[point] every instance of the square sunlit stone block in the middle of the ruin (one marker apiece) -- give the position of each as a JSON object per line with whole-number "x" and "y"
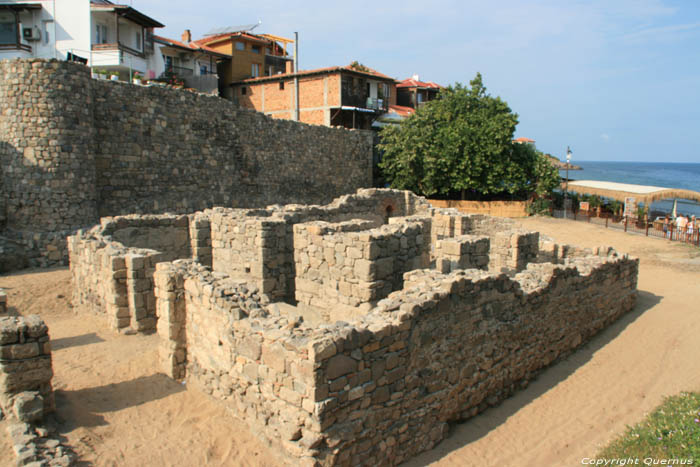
{"x": 347, "y": 264}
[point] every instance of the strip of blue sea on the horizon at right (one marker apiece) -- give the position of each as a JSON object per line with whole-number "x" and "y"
{"x": 662, "y": 174}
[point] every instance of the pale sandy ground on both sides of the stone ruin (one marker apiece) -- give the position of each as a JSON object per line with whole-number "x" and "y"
{"x": 116, "y": 409}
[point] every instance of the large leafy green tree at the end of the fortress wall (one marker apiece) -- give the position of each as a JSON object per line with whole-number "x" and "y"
{"x": 461, "y": 143}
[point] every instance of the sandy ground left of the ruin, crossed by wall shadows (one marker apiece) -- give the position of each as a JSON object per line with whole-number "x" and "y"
{"x": 116, "y": 408}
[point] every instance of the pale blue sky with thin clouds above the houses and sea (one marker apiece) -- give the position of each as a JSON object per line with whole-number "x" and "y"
{"x": 615, "y": 80}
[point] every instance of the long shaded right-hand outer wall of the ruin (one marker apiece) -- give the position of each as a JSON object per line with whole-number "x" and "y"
{"x": 448, "y": 346}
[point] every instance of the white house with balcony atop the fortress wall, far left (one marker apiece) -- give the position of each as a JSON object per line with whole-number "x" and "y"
{"x": 98, "y": 33}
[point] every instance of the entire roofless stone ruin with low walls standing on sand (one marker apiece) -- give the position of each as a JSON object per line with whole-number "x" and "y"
{"x": 352, "y": 333}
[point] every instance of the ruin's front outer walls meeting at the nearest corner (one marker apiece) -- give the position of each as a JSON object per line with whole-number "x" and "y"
{"x": 381, "y": 389}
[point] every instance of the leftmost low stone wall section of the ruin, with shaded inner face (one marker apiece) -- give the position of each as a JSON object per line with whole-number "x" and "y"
{"x": 116, "y": 277}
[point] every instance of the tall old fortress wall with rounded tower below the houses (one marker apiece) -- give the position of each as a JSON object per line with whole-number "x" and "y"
{"x": 74, "y": 149}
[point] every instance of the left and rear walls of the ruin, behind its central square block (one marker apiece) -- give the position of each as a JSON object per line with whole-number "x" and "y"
{"x": 115, "y": 277}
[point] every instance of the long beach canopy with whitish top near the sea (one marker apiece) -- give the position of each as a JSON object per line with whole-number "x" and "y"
{"x": 619, "y": 191}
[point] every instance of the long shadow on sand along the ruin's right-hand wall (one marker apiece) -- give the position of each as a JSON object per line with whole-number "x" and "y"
{"x": 461, "y": 434}
